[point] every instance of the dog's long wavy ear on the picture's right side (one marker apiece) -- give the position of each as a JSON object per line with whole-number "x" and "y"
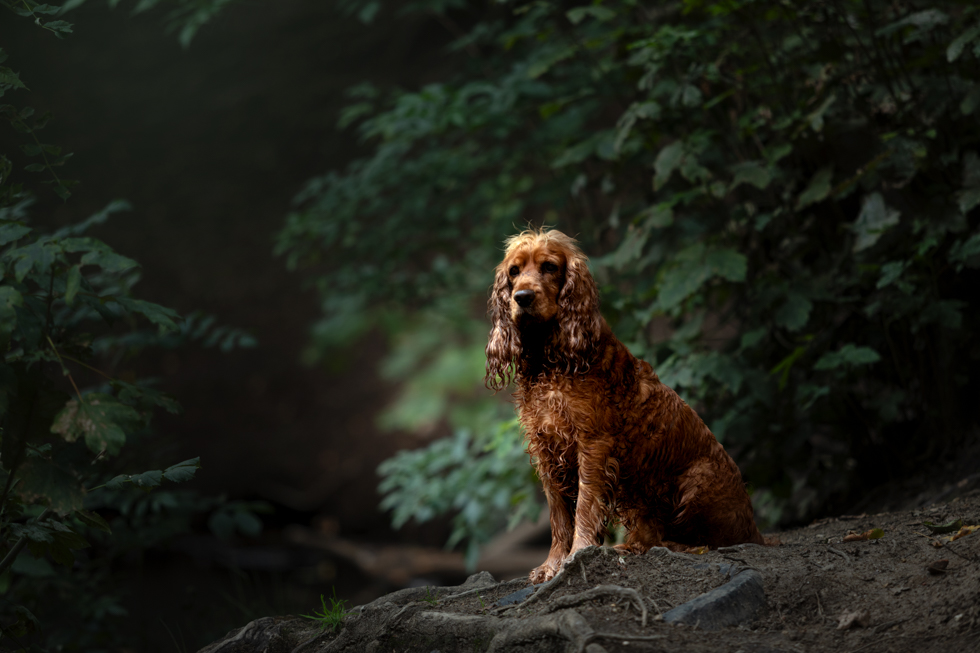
{"x": 579, "y": 320}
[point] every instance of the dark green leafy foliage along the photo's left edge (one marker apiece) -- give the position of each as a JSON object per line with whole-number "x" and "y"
{"x": 69, "y": 325}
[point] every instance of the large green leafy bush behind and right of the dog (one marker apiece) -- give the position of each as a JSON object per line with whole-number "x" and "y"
{"x": 787, "y": 190}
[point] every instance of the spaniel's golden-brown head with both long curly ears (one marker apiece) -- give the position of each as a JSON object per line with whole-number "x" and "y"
{"x": 543, "y": 281}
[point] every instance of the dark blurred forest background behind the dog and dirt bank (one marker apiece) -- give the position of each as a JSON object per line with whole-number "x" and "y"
{"x": 785, "y": 228}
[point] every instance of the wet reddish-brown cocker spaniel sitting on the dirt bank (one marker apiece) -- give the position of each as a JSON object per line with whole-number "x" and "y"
{"x": 608, "y": 439}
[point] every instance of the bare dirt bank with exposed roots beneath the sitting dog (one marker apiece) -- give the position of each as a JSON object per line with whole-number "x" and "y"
{"x": 909, "y": 590}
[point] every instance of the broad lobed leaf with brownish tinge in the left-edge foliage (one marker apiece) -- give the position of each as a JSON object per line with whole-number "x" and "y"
{"x": 99, "y": 419}
